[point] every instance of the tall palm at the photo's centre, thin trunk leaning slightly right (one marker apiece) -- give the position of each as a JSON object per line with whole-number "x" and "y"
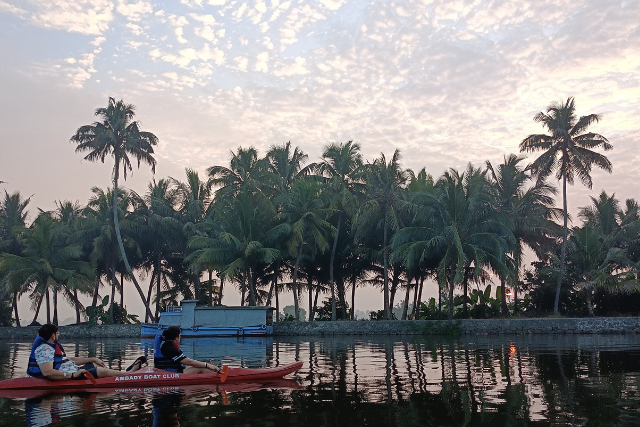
{"x": 342, "y": 163}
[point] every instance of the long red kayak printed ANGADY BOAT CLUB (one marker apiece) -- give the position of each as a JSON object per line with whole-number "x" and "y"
{"x": 150, "y": 377}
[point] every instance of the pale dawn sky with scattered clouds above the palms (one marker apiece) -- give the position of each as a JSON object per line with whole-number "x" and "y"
{"x": 446, "y": 82}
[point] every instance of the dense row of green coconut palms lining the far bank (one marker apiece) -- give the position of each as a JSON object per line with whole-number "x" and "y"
{"x": 277, "y": 223}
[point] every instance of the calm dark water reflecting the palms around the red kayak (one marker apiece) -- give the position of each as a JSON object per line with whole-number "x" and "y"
{"x": 383, "y": 381}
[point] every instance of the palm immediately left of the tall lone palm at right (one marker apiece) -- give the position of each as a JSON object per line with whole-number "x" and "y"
{"x": 528, "y": 208}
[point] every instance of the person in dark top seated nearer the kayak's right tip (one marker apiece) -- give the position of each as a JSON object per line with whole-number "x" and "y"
{"x": 168, "y": 356}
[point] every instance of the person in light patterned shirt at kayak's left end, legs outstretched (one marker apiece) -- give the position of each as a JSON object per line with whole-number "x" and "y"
{"x": 48, "y": 360}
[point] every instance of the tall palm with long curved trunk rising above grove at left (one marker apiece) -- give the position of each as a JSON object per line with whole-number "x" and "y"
{"x": 118, "y": 135}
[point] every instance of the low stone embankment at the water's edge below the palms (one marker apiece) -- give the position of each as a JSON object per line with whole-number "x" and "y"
{"x": 601, "y": 325}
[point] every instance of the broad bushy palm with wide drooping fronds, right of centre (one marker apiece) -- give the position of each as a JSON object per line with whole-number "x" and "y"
{"x": 456, "y": 228}
